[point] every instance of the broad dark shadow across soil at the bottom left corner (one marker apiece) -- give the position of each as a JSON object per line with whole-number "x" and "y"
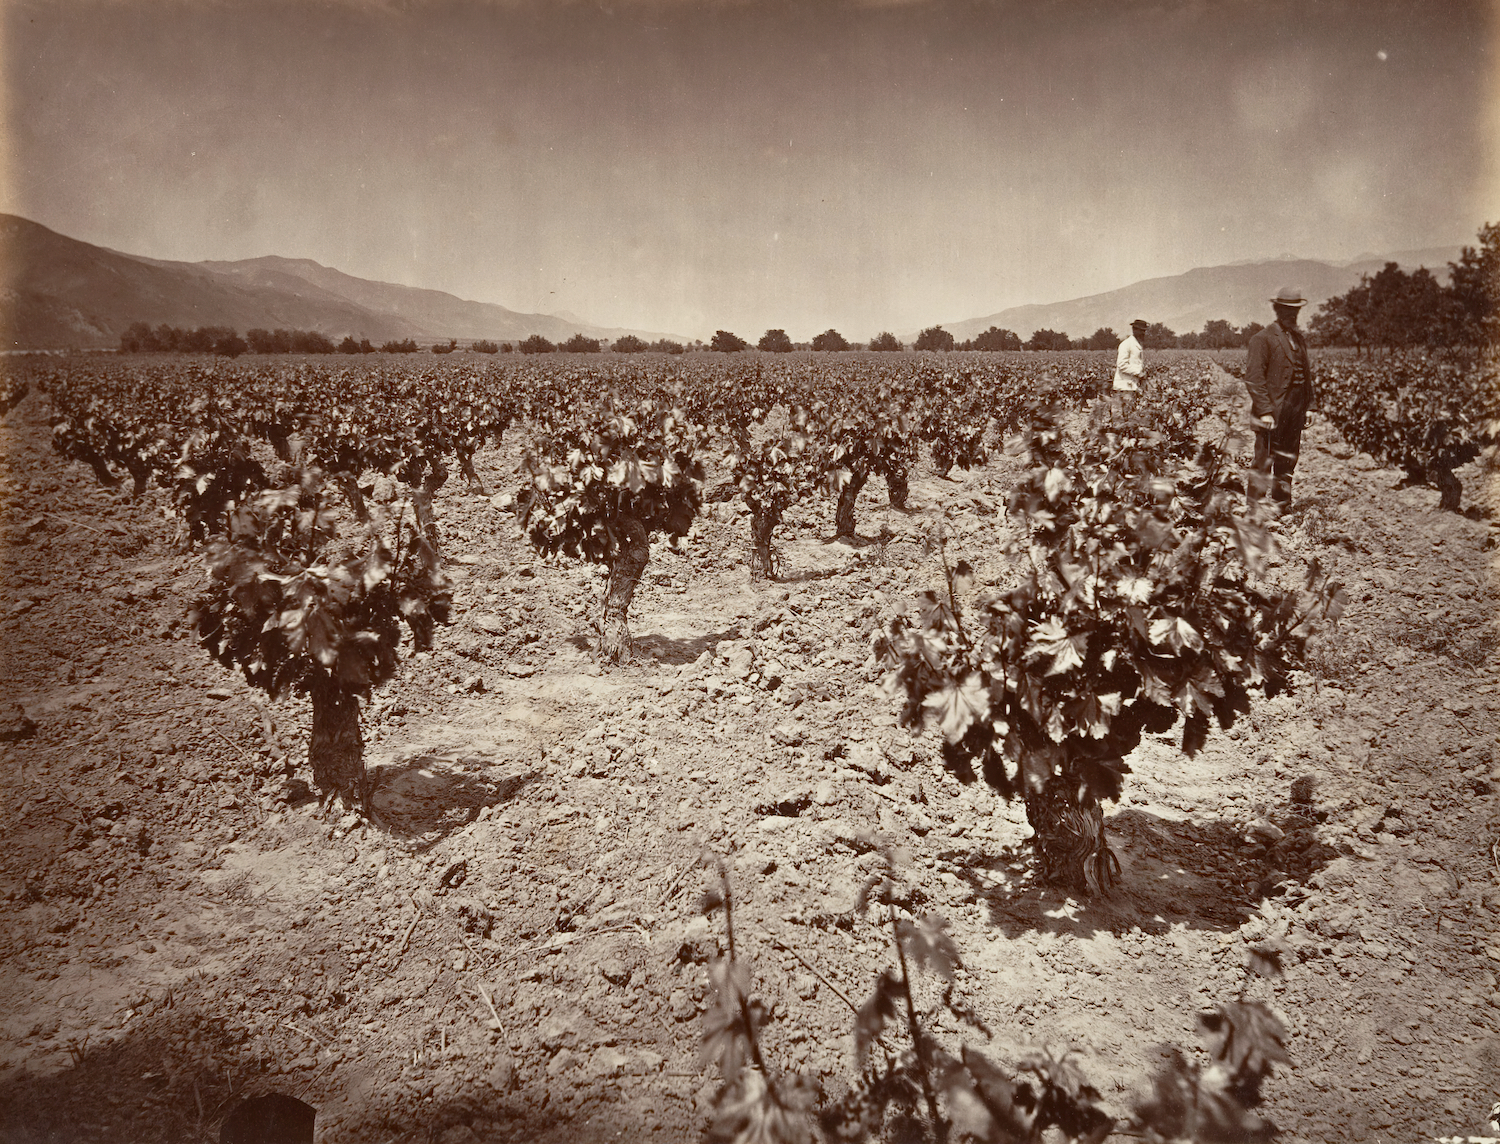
{"x": 169, "y": 1082}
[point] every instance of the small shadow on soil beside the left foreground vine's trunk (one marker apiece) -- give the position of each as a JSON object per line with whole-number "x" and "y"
{"x": 428, "y": 797}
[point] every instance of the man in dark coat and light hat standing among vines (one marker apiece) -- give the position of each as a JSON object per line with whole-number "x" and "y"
{"x": 1280, "y": 382}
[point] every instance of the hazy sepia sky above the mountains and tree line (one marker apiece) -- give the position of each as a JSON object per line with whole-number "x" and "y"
{"x": 683, "y": 167}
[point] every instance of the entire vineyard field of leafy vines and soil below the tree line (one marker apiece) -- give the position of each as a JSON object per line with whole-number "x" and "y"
{"x": 779, "y": 747}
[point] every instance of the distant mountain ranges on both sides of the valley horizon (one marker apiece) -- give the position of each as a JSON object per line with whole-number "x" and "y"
{"x": 58, "y": 293}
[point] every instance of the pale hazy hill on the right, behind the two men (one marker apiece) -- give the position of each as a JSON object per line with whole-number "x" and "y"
{"x": 1186, "y": 302}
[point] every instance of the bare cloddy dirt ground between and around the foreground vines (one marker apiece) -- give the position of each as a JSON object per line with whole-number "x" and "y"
{"x": 515, "y": 954}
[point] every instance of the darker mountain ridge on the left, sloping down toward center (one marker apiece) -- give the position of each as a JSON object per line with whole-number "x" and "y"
{"x": 58, "y": 292}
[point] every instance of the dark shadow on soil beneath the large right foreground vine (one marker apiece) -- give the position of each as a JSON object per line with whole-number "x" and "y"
{"x": 1204, "y": 876}
